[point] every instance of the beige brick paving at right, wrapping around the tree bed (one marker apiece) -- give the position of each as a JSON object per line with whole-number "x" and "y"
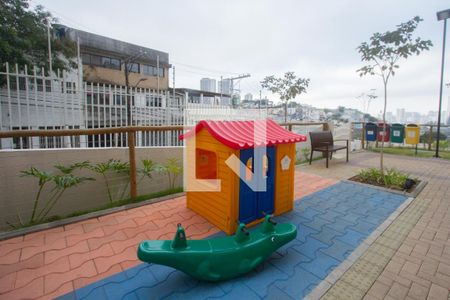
{"x": 411, "y": 259}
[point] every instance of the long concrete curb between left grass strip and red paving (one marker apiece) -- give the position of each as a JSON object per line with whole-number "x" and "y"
{"x": 95, "y": 214}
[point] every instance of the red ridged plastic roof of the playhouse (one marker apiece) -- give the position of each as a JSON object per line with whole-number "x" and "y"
{"x": 241, "y": 134}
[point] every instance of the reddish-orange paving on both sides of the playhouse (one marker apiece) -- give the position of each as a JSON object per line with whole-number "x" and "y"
{"x": 53, "y": 262}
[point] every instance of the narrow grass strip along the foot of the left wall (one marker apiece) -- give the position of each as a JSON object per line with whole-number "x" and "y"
{"x": 108, "y": 205}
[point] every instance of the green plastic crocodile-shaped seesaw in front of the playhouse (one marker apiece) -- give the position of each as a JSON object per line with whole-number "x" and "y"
{"x": 219, "y": 258}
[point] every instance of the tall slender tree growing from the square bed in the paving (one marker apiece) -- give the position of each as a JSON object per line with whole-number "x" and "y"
{"x": 383, "y": 53}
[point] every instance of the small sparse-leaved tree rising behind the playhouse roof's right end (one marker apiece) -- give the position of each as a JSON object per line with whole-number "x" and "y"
{"x": 288, "y": 87}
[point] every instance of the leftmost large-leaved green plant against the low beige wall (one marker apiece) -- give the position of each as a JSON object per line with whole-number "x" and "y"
{"x": 61, "y": 182}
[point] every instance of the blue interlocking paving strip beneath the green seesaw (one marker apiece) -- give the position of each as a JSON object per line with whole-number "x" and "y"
{"x": 331, "y": 223}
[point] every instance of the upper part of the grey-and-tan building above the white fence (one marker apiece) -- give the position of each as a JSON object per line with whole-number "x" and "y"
{"x": 104, "y": 60}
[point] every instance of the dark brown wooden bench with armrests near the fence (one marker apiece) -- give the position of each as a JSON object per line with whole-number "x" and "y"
{"x": 322, "y": 141}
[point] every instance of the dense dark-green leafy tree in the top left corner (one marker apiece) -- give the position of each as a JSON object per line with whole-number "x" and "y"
{"x": 23, "y": 37}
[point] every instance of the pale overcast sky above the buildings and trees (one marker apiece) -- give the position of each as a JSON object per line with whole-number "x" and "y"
{"x": 315, "y": 39}
